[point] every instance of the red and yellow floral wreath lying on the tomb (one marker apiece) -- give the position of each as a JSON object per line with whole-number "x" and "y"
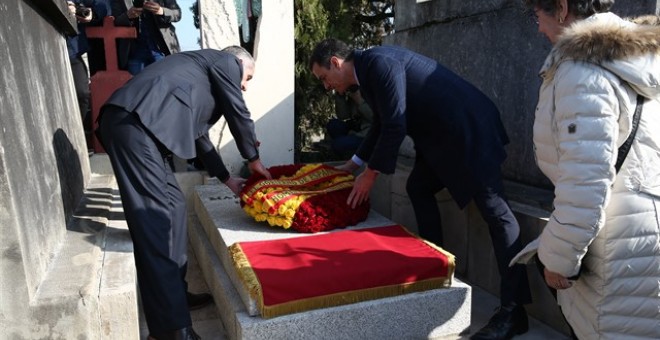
{"x": 307, "y": 198}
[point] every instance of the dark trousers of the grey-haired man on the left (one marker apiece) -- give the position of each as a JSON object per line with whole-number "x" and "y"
{"x": 155, "y": 212}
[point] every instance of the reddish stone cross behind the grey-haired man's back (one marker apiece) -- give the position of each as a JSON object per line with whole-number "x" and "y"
{"x": 104, "y": 83}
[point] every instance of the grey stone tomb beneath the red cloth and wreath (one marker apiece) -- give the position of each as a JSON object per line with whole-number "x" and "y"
{"x": 218, "y": 222}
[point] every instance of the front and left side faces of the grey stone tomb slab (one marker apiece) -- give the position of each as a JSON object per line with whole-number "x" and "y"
{"x": 433, "y": 314}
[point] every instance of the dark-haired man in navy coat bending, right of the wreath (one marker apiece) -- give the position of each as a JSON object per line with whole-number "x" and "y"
{"x": 459, "y": 144}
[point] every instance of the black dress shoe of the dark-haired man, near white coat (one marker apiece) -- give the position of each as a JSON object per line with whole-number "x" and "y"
{"x": 505, "y": 324}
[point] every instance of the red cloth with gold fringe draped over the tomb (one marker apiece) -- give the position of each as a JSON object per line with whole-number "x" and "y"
{"x": 344, "y": 261}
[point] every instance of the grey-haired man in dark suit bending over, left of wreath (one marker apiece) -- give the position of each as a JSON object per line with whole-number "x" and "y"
{"x": 166, "y": 110}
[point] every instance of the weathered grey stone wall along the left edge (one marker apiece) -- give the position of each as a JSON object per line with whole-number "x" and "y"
{"x": 43, "y": 155}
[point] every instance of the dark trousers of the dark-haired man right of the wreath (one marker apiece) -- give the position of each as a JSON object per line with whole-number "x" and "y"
{"x": 503, "y": 227}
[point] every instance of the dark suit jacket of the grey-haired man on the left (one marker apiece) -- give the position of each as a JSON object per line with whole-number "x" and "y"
{"x": 179, "y": 98}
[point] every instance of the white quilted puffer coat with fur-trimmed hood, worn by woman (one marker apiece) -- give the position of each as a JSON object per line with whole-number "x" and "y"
{"x": 604, "y": 224}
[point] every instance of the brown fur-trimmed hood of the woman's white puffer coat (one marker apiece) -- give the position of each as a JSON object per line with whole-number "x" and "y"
{"x": 628, "y": 48}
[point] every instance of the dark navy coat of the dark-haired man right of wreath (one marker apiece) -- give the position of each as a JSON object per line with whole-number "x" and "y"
{"x": 456, "y": 129}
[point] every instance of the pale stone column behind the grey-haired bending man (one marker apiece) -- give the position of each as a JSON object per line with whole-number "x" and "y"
{"x": 270, "y": 93}
